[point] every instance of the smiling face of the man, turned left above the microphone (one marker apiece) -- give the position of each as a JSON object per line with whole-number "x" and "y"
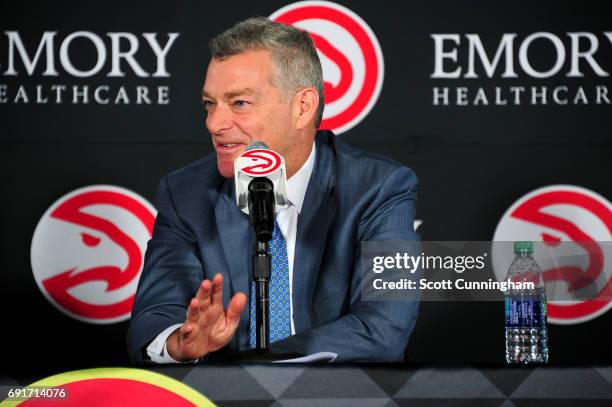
{"x": 244, "y": 105}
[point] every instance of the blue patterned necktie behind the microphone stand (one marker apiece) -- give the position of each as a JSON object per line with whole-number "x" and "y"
{"x": 280, "y": 322}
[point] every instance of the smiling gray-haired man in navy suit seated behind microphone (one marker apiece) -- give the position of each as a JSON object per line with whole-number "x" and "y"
{"x": 264, "y": 83}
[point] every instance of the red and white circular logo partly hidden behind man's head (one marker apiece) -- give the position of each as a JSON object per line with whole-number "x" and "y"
{"x": 351, "y": 59}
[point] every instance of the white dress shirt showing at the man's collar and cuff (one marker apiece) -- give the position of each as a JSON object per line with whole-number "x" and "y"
{"x": 287, "y": 217}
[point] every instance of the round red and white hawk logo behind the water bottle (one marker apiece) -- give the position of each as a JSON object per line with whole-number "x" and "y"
{"x": 570, "y": 214}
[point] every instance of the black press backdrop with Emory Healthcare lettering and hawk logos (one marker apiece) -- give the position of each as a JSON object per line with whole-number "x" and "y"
{"x": 492, "y": 104}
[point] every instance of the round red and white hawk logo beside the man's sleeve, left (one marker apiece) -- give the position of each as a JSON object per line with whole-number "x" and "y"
{"x": 88, "y": 249}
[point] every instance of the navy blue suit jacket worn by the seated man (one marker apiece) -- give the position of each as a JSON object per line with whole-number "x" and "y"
{"x": 352, "y": 196}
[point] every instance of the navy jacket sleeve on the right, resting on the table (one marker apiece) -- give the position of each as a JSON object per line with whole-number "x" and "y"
{"x": 372, "y": 331}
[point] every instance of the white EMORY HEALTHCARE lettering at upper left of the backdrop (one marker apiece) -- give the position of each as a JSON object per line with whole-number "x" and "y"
{"x": 57, "y": 57}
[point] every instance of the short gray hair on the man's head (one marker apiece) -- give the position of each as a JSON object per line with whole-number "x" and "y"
{"x": 293, "y": 53}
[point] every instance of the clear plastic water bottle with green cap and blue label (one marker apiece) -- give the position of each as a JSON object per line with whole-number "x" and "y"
{"x": 526, "y": 335}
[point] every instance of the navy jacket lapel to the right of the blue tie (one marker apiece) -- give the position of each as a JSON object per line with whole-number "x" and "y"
{"x": 314, "y": 221}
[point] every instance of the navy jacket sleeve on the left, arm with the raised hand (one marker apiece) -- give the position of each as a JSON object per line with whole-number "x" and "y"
{"x": 170, "y": 277}
